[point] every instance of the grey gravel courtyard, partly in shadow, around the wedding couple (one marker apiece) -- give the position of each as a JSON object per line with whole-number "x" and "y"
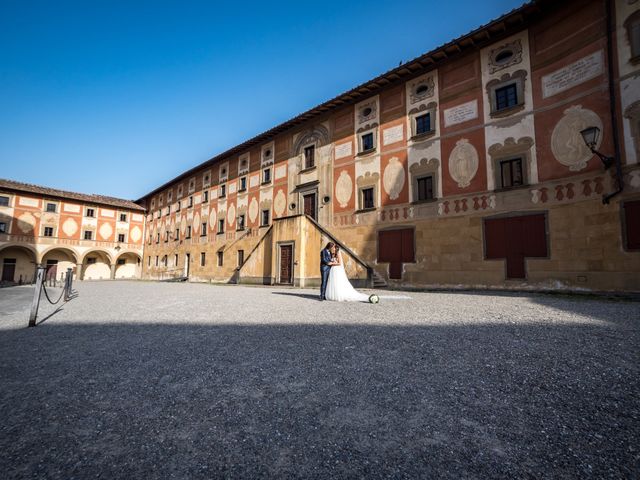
{"x": 161, "y": 380}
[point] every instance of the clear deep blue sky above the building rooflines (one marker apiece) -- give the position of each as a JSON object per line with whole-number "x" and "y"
{"x": 117, "y": 97}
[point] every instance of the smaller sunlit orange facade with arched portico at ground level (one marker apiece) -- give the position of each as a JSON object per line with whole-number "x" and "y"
{"x": 40, "y": 225}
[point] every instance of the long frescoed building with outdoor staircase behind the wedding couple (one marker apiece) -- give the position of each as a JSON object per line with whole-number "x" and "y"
{"x": 467, "y": 166}
